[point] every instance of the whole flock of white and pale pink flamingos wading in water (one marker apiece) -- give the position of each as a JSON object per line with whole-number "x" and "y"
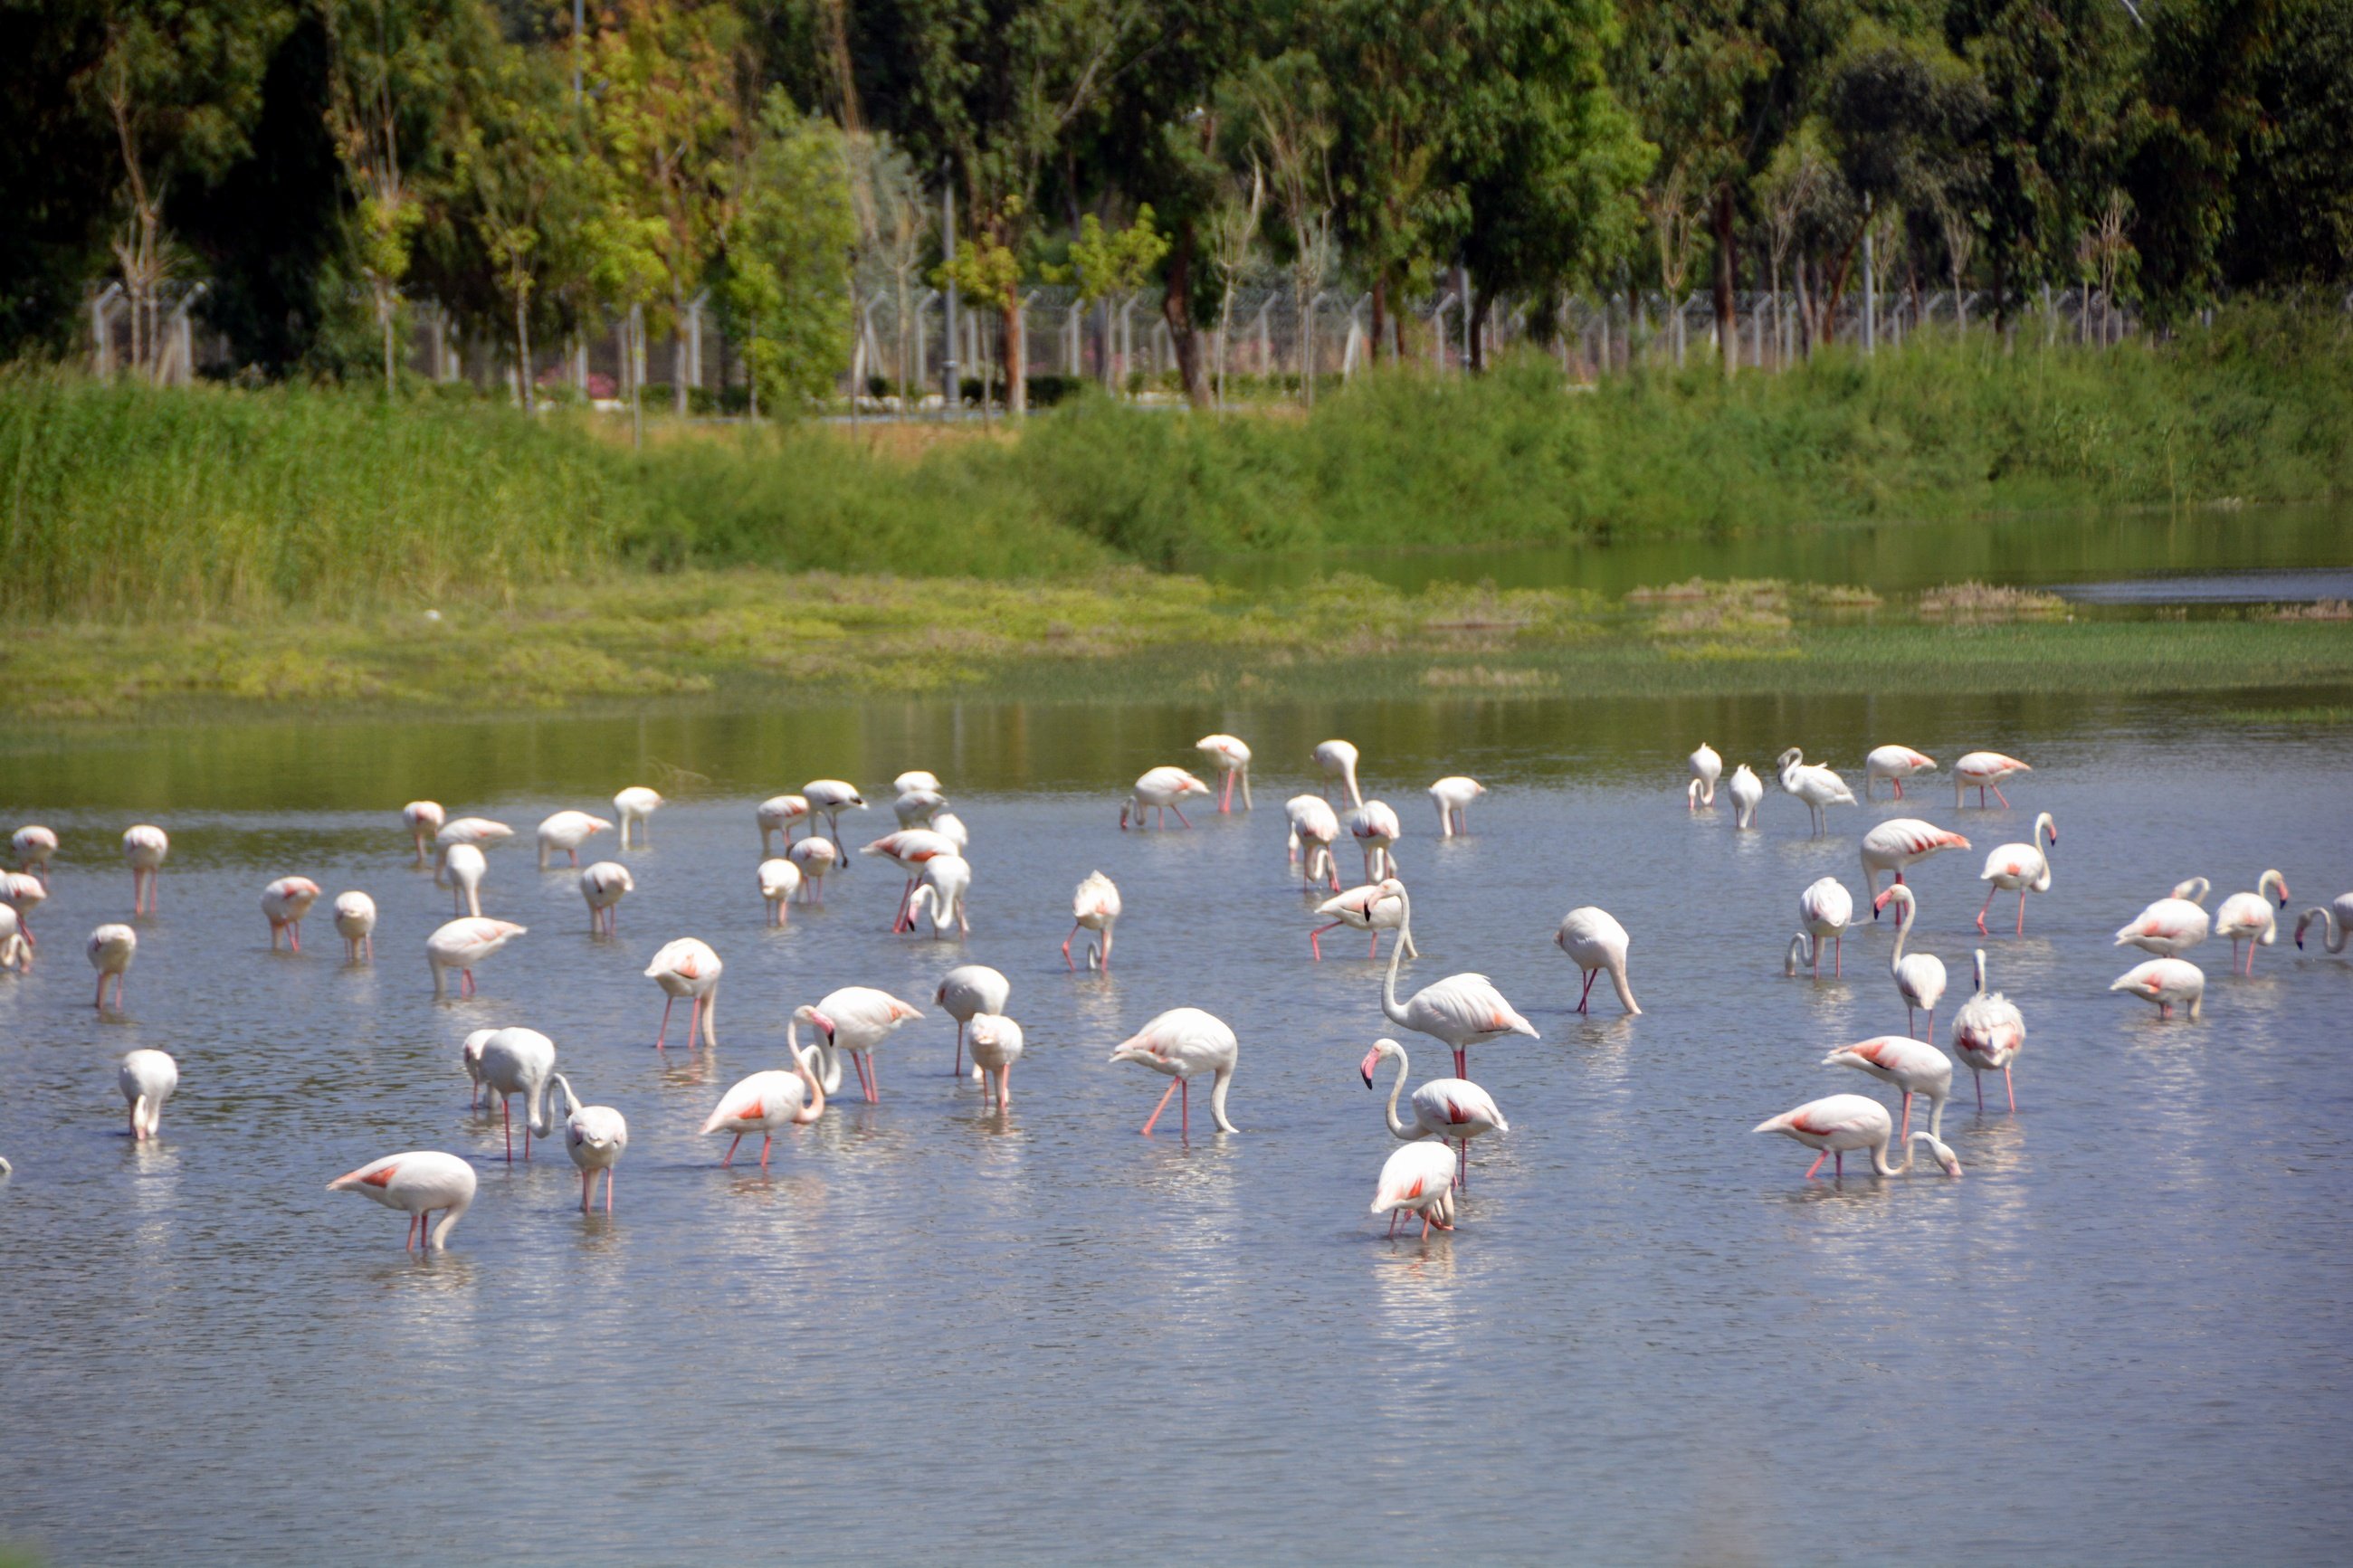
{"x": 1425, "y": 1179}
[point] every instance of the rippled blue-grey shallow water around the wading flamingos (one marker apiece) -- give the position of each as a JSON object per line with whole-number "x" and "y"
{"x": 2126, "y": 1336}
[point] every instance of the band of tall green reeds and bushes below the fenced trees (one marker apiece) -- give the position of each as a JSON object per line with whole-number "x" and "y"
{"x": 140, "y": 504}
